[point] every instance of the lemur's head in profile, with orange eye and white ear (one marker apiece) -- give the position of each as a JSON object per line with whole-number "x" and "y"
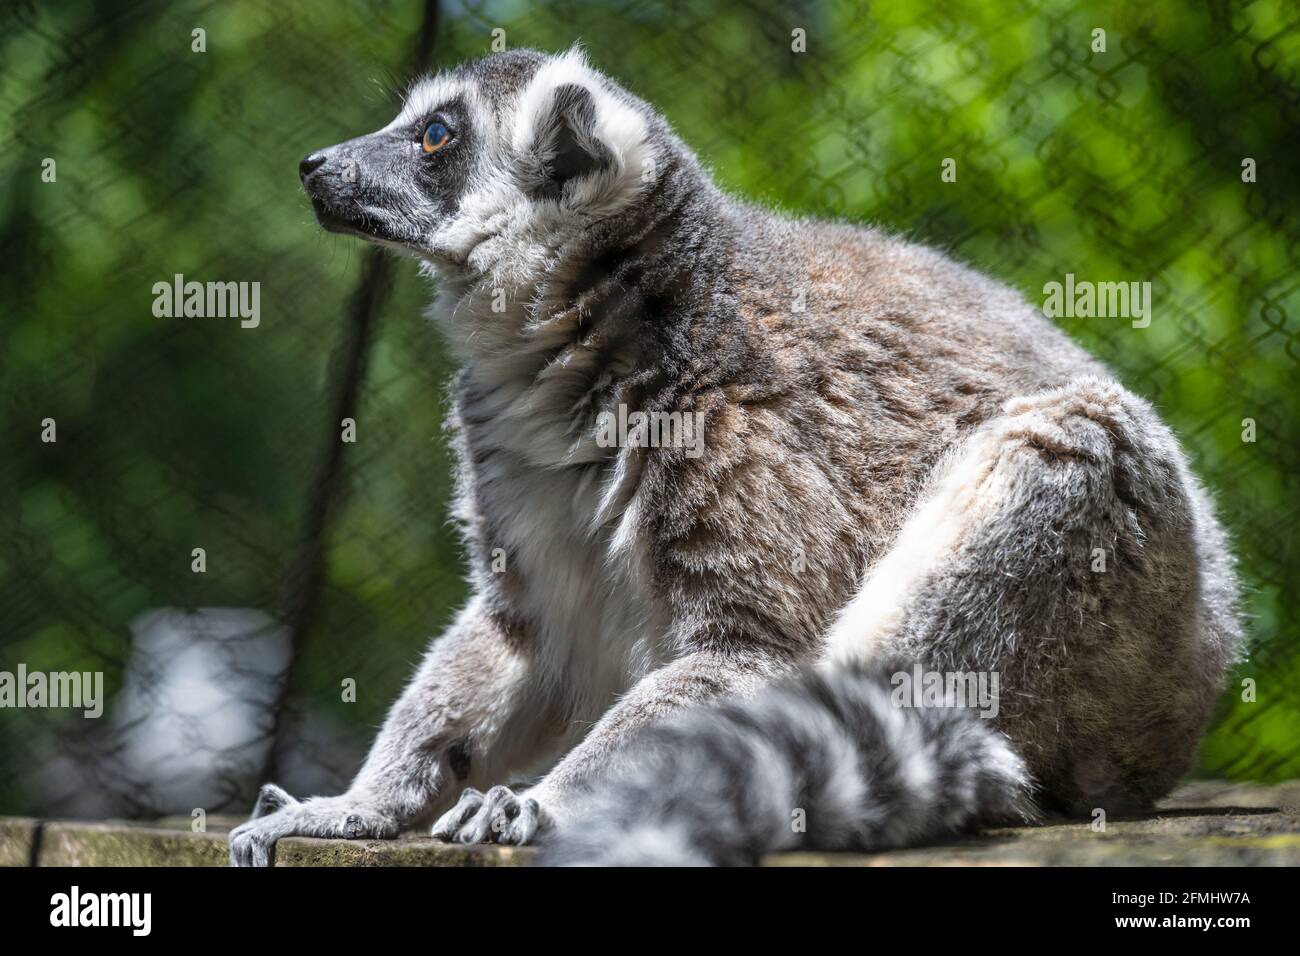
{"x": 492, "y": 167}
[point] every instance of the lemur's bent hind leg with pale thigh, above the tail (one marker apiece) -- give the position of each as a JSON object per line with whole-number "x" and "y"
{"x": 1059, "y": 550}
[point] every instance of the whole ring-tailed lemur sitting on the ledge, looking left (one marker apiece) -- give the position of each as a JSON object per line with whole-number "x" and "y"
{"x": 902, "y": 461}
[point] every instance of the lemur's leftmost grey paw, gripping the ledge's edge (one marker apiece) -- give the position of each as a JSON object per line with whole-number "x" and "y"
{"x": 278, "y": 815}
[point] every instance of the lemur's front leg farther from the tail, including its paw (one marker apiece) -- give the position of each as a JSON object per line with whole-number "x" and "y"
{"x": 471, "y": 713}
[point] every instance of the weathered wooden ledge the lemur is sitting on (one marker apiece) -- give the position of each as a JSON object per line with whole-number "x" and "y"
{"x": 1204, "y": 823}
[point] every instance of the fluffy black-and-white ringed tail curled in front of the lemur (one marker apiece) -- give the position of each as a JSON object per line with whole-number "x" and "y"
{"x": 827, "y": 762}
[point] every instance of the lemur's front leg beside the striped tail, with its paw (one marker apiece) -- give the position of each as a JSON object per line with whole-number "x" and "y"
{"x": 502, "y": 816}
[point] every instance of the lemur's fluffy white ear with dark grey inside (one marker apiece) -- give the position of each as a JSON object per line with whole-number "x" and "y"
{"x": 579, "y": 140}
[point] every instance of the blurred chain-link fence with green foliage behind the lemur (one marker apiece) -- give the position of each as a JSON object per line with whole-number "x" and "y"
{"x": 179, "y": 507}
